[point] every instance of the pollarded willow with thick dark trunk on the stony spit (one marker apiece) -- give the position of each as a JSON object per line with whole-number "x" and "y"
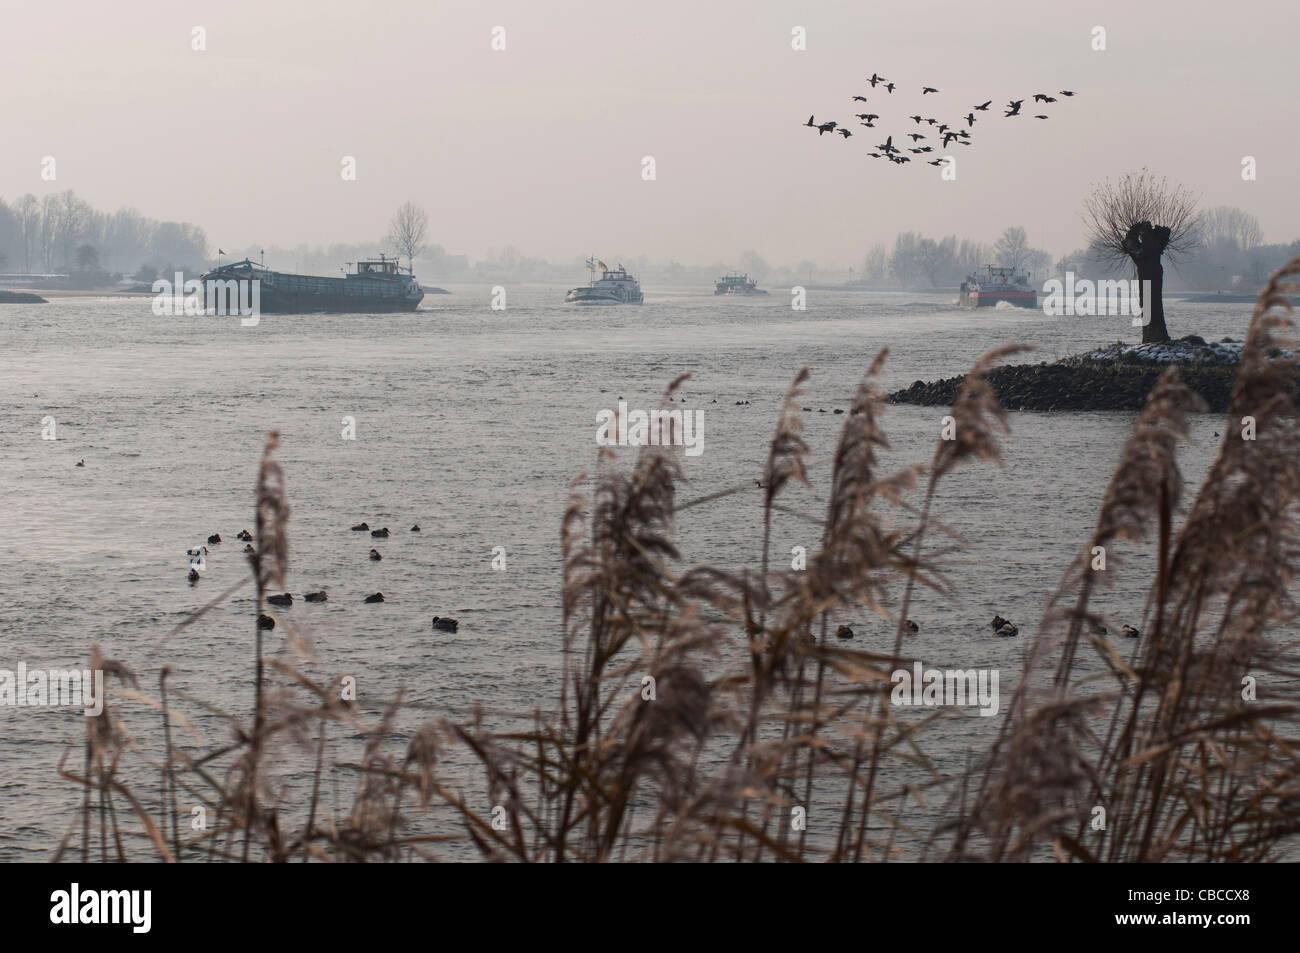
{"x": 1143, "y": 219}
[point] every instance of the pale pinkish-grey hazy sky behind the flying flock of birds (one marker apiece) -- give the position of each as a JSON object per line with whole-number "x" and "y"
{"x": 540, "y": 145}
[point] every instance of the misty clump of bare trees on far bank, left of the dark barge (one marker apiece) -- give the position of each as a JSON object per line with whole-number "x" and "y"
{"x": 60, "y": 233}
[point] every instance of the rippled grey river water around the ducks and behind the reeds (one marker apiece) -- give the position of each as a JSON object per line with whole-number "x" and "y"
{"x": 473, "y": 423}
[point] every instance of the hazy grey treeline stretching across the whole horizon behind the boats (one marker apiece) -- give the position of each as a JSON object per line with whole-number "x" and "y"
{"x": 60, "y": 233}
